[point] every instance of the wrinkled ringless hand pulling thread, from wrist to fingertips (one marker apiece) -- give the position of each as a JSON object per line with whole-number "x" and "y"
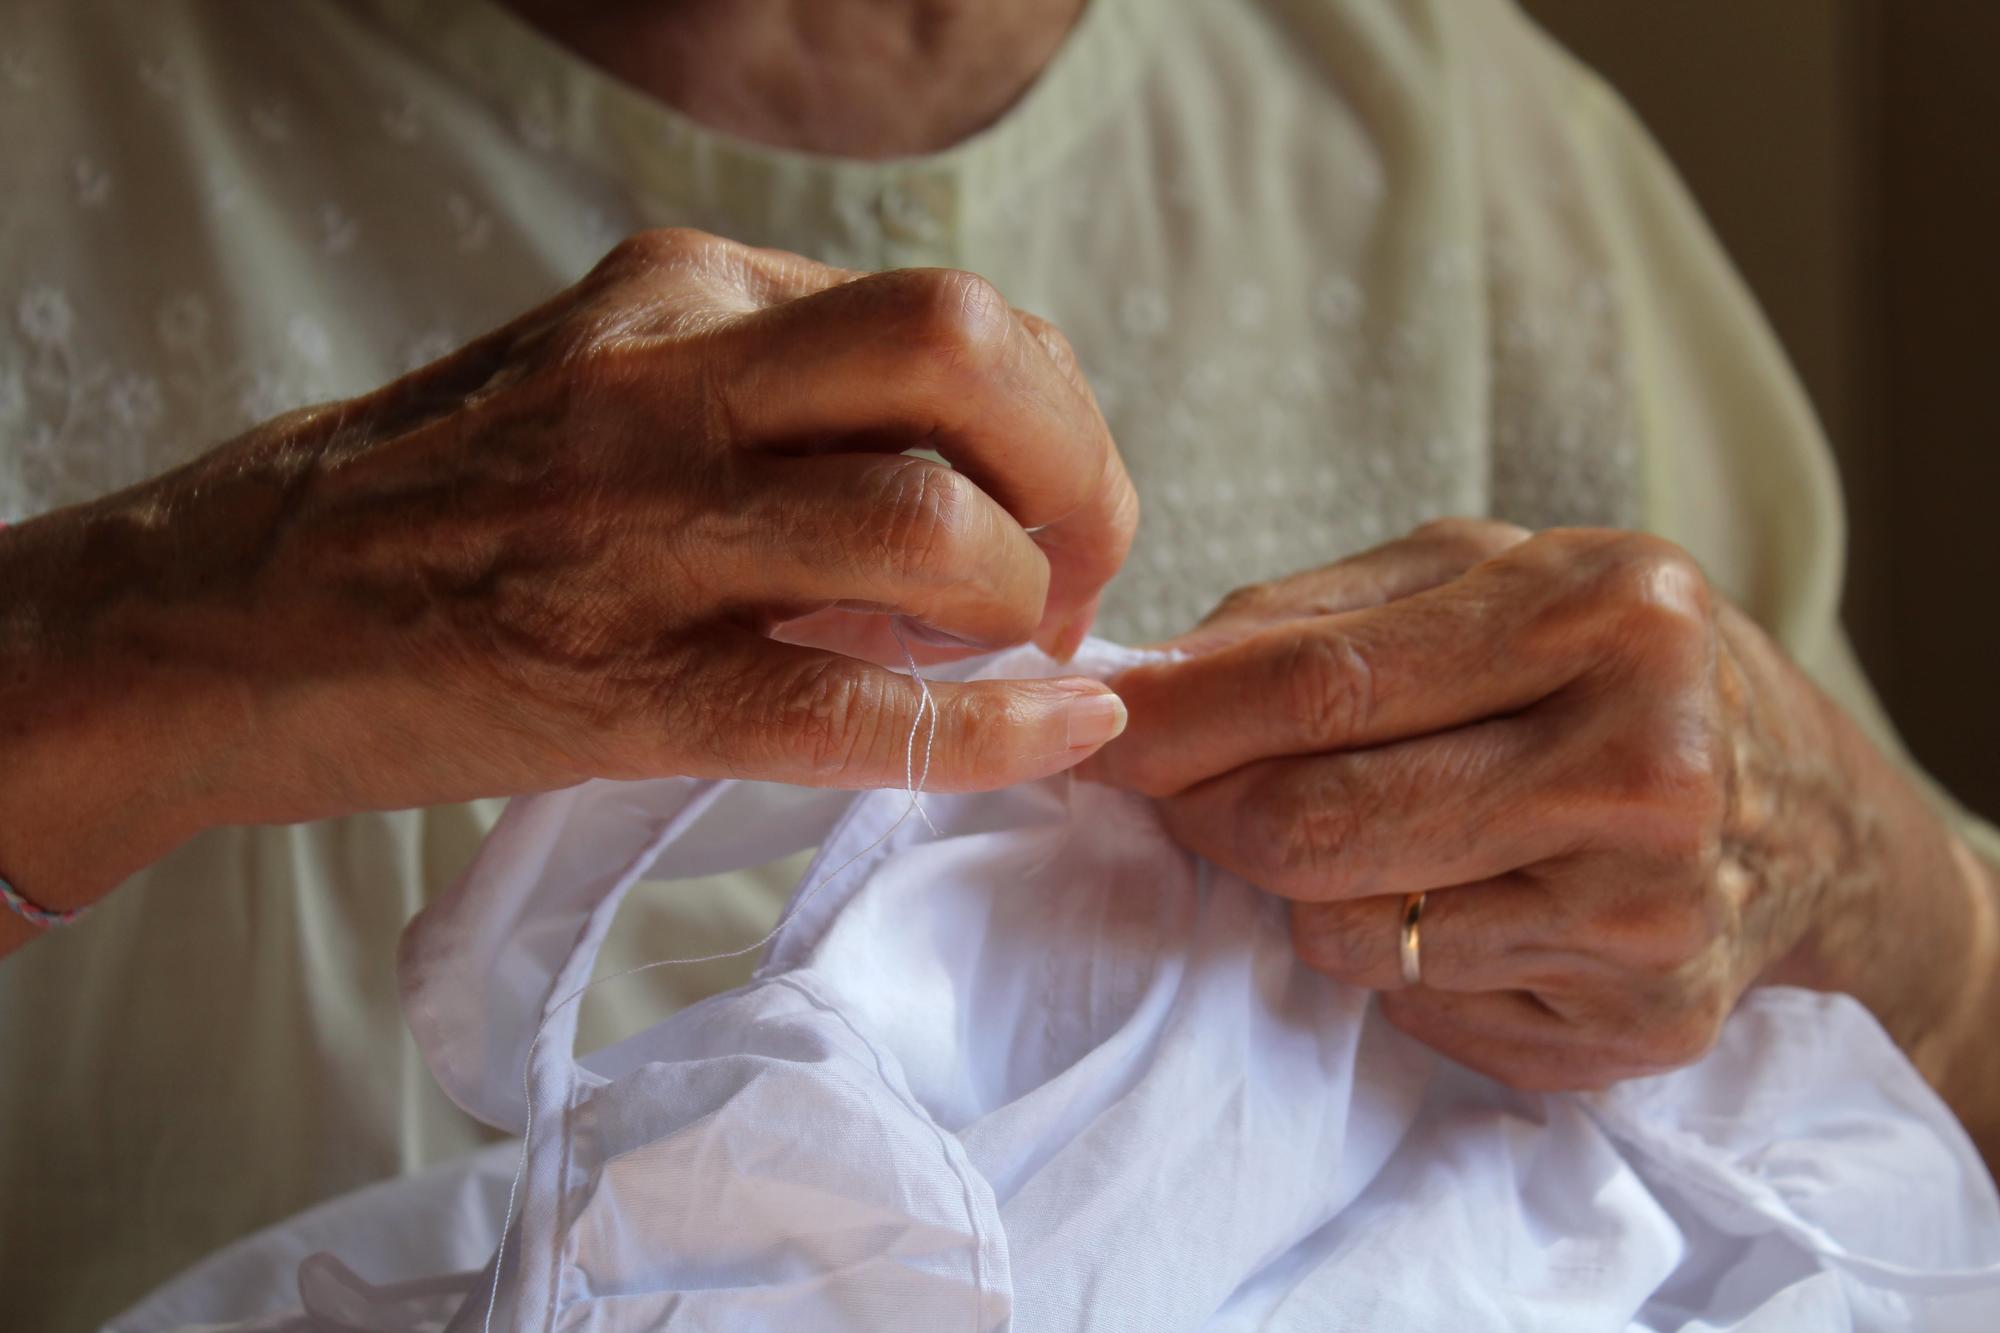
{"x": 591, "y": 527}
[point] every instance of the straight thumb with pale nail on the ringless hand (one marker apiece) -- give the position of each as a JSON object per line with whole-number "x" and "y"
{"x": 823, "y": 720}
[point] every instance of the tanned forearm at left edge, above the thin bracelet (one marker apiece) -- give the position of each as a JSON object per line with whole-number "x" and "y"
{"x": 121, "y": 690}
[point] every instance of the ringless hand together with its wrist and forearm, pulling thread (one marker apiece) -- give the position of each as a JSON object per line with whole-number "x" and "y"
{"x": 631, "y": 533}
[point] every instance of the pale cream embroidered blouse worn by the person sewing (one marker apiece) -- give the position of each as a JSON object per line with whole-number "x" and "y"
{"x": 1333, "y": 269}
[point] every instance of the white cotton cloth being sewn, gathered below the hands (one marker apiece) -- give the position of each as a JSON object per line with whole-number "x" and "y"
{"x": 1041, "y": 1070}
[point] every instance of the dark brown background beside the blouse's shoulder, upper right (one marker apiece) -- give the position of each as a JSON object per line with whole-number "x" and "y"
{"x": 1847, "y": 155}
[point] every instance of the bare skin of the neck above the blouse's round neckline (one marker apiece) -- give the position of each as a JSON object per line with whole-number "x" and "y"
{"x": 861, "y": 79}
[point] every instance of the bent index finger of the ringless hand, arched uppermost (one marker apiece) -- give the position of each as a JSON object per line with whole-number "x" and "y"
{"x": 937, "y": 359}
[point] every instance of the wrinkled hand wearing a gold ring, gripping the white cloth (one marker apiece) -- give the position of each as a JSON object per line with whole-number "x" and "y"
{"x": 1623, "y": 804}
